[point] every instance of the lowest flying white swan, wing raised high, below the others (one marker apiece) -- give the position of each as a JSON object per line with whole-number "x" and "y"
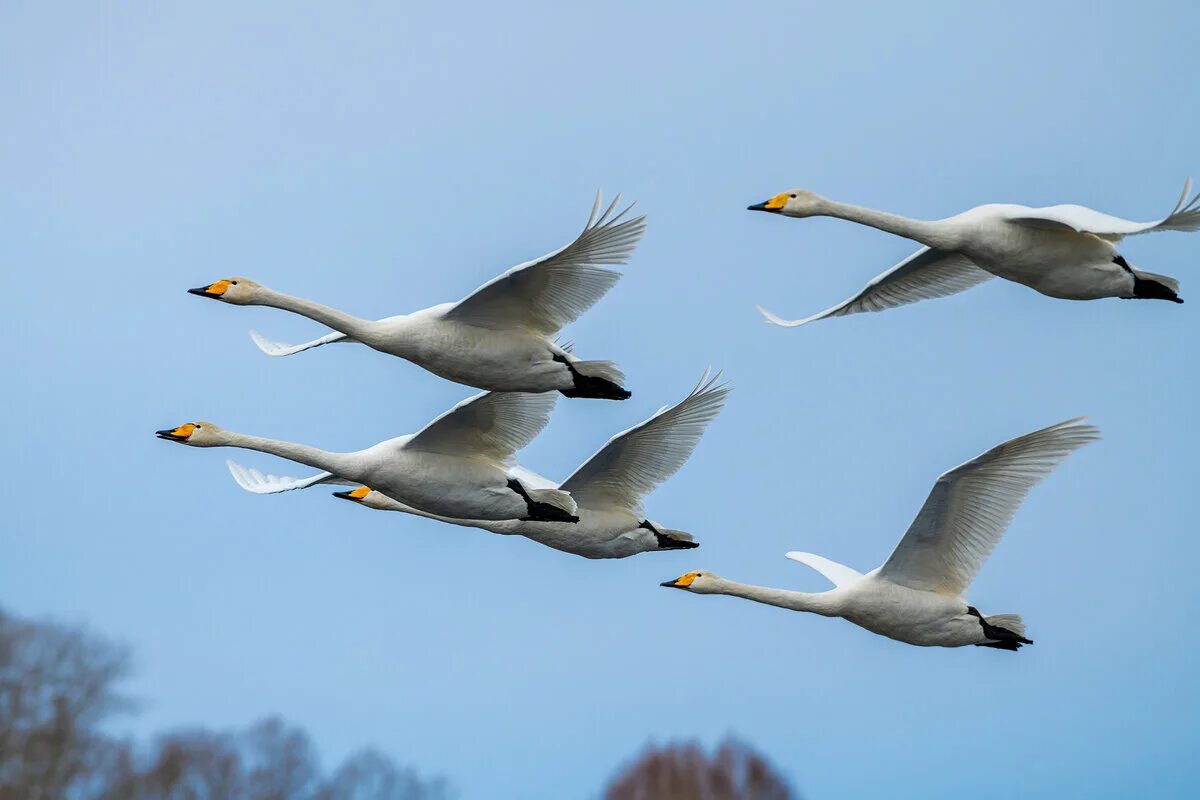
{"x": 917, "y": 596}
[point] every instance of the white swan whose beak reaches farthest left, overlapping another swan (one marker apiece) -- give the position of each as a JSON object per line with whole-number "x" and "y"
{"x": 460, "y": 465}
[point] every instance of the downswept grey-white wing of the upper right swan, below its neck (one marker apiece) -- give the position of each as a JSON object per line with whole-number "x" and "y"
{"x": 925, "y": 275}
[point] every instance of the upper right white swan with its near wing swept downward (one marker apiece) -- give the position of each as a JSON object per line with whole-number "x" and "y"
{"x": 1063, "y": 251}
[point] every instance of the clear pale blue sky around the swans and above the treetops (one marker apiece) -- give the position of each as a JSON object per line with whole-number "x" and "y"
{"x": 386, "y": 158}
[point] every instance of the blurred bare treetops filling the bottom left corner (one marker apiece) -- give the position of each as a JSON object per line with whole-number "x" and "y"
{"x": 58, "y": 687}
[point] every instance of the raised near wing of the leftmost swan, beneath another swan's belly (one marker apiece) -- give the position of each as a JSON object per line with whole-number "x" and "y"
{"x": 495, "y": 425}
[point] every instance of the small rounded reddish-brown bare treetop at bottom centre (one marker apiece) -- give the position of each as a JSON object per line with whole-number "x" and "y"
{"x": 683, "y": 772}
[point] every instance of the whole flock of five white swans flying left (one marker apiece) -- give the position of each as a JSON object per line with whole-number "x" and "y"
{"x": 461, "y": 468}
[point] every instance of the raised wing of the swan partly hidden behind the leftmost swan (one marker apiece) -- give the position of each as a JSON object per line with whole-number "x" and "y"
{"x": 634, "y": 462}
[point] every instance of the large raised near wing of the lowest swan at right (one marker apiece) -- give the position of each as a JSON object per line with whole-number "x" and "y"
{"x": 971, "y": 506}
